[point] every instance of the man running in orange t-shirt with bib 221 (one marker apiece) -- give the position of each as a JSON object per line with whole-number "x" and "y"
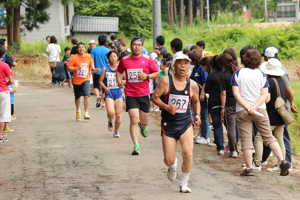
{"x": 80, "y": 65}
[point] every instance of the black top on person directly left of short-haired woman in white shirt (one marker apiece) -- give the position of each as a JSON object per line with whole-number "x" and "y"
{"x": 225, "y": 85}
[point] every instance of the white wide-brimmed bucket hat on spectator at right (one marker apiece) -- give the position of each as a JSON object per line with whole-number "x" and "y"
{"x": 272, "y": 67}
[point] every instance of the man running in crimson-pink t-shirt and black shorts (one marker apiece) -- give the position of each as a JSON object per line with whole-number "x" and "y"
{"x": 139, "y": 69}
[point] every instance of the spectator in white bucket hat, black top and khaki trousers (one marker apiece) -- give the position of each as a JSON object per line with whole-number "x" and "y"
{"x": 272, "y": 68}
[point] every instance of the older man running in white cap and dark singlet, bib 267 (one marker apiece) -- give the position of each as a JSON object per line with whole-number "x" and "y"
{"x": 173, "y": 95}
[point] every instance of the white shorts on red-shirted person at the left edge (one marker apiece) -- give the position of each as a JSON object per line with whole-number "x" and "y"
{"x": 5, "y": 113}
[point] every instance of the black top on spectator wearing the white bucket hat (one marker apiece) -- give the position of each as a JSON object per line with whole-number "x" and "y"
{"x": 275, "y": 118}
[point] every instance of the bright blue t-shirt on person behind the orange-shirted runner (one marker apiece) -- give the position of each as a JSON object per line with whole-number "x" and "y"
{"x": 99, "y": 55}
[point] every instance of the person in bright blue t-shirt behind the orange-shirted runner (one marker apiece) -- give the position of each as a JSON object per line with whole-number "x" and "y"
{"x": 99, "y": 58}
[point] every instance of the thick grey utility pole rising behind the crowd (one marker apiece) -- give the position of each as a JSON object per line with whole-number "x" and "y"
{"x": 156, "y": 5}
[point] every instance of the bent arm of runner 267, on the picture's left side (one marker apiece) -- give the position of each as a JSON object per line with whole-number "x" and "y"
{"x": 162, "y": 89}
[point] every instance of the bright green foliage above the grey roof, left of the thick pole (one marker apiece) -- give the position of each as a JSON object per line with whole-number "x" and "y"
{"x": 135, "y": 16}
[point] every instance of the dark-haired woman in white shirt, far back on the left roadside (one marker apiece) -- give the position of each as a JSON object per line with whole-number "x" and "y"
{"x": 53, "y": 50}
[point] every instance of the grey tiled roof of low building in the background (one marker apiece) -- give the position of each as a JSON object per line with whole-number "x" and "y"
{"x": 95, "y": 24}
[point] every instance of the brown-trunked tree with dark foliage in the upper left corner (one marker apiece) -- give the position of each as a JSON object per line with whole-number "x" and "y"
{"x": 35, "y": 15}
